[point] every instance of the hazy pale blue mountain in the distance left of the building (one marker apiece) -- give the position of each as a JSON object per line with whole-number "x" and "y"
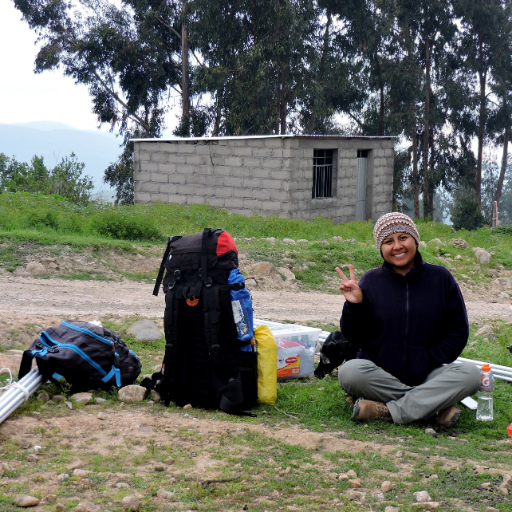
{"x": 52, "y": 141}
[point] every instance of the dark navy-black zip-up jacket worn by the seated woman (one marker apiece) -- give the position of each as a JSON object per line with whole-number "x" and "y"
{"x": 408, "y": 325}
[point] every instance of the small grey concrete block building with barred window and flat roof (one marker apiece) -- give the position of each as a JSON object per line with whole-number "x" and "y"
{"x": 343, "y": 178}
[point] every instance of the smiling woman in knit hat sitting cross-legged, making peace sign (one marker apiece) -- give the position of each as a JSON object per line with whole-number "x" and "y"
{"x": 411, "y": 323}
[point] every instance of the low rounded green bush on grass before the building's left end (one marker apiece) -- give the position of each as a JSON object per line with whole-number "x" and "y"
{"x": 119, "y": 225}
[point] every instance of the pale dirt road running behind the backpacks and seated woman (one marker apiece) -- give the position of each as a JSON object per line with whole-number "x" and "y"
{"x": 59, "y": 297}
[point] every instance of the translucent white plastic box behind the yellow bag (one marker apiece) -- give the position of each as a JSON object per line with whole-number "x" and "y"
{"x": 296, "y": 346}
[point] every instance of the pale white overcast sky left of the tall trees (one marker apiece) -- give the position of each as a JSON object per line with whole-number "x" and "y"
{"x": 26, "y": 96}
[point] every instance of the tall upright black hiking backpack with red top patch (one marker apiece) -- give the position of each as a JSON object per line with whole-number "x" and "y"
{"x": 205, "y": 364}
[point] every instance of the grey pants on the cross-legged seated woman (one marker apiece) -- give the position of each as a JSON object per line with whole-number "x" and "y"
{"x": 443, "y": 387}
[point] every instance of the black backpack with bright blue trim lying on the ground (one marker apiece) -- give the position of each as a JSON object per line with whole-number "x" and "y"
{"x": 86, "y": 355}
